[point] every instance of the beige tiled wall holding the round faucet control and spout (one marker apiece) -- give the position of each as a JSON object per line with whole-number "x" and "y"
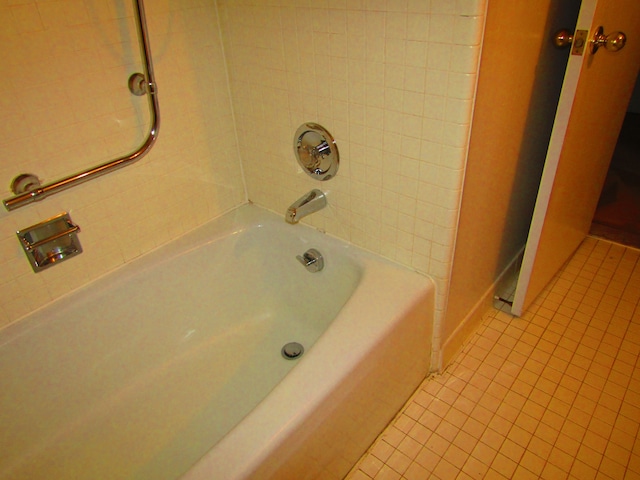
{"x": 393, "y": 81}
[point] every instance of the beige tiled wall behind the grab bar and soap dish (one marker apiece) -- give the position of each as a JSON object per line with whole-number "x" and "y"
{"x": 64, "y": 105}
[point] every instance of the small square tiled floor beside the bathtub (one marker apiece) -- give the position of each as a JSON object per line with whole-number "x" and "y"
{"x": 555, "y": 394}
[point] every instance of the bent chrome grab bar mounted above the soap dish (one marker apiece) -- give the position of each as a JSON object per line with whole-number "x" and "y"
{"x": 44, "y": 191}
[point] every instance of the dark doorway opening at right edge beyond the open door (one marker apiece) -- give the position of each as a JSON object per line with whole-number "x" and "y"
{"x": 617, "y": 216}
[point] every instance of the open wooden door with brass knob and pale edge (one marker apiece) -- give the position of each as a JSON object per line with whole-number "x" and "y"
{"x": 591, "y": 109}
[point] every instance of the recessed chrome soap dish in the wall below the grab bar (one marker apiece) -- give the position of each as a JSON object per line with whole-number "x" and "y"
{"x": 50, "y": 242}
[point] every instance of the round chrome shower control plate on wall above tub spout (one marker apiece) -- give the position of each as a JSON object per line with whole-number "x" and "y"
{"x": 316, "y": 151}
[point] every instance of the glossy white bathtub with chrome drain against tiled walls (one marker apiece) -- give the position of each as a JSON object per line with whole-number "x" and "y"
{"x": 171, "y": 366}
